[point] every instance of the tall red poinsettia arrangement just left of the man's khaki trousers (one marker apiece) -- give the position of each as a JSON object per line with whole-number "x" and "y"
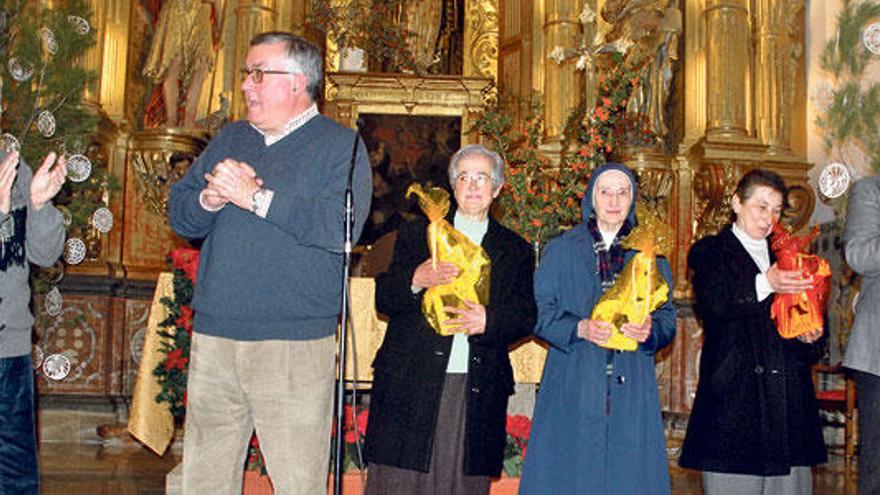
{"x": 177, "y": 329}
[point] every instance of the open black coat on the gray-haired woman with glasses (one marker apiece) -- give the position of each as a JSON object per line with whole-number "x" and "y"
{"x": 410, "y": 367}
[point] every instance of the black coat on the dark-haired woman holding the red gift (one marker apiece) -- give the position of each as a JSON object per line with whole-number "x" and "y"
{"x": 755, "y": 411}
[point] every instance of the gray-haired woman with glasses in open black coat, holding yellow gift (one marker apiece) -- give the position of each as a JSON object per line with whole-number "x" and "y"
{"x": 438, "y": 405}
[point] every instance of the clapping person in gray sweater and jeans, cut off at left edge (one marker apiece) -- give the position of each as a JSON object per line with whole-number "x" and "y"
{"x": 30, "y": 231}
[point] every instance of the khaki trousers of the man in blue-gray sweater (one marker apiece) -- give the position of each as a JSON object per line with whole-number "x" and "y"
{"x": 283, "y": 389}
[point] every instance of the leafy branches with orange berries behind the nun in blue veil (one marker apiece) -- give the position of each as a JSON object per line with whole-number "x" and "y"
{"x": 539, "y": 198}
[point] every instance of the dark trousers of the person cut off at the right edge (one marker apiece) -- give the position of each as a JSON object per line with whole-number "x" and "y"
{"x": 868, "y": 392}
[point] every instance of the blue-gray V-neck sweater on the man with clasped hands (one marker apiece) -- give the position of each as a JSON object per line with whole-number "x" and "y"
{"x": 276, "y": 278}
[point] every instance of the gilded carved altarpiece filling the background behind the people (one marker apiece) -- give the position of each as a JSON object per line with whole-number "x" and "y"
{"x": 735, "y": 108}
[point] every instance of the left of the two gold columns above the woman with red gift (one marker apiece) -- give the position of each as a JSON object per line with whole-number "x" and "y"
{"x": 727, "y": 68}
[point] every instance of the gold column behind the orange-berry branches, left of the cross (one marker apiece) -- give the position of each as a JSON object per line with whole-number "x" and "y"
{"x": 563, "y": 83}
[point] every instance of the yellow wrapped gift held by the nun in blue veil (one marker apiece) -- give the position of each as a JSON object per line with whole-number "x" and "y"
{"x": 640, "y": 287}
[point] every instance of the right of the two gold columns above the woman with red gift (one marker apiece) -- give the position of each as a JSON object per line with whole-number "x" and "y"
{"x": 775, "y": 71}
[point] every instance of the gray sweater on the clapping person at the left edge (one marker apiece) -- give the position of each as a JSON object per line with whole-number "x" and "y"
{"x": 26, "y": 235}
